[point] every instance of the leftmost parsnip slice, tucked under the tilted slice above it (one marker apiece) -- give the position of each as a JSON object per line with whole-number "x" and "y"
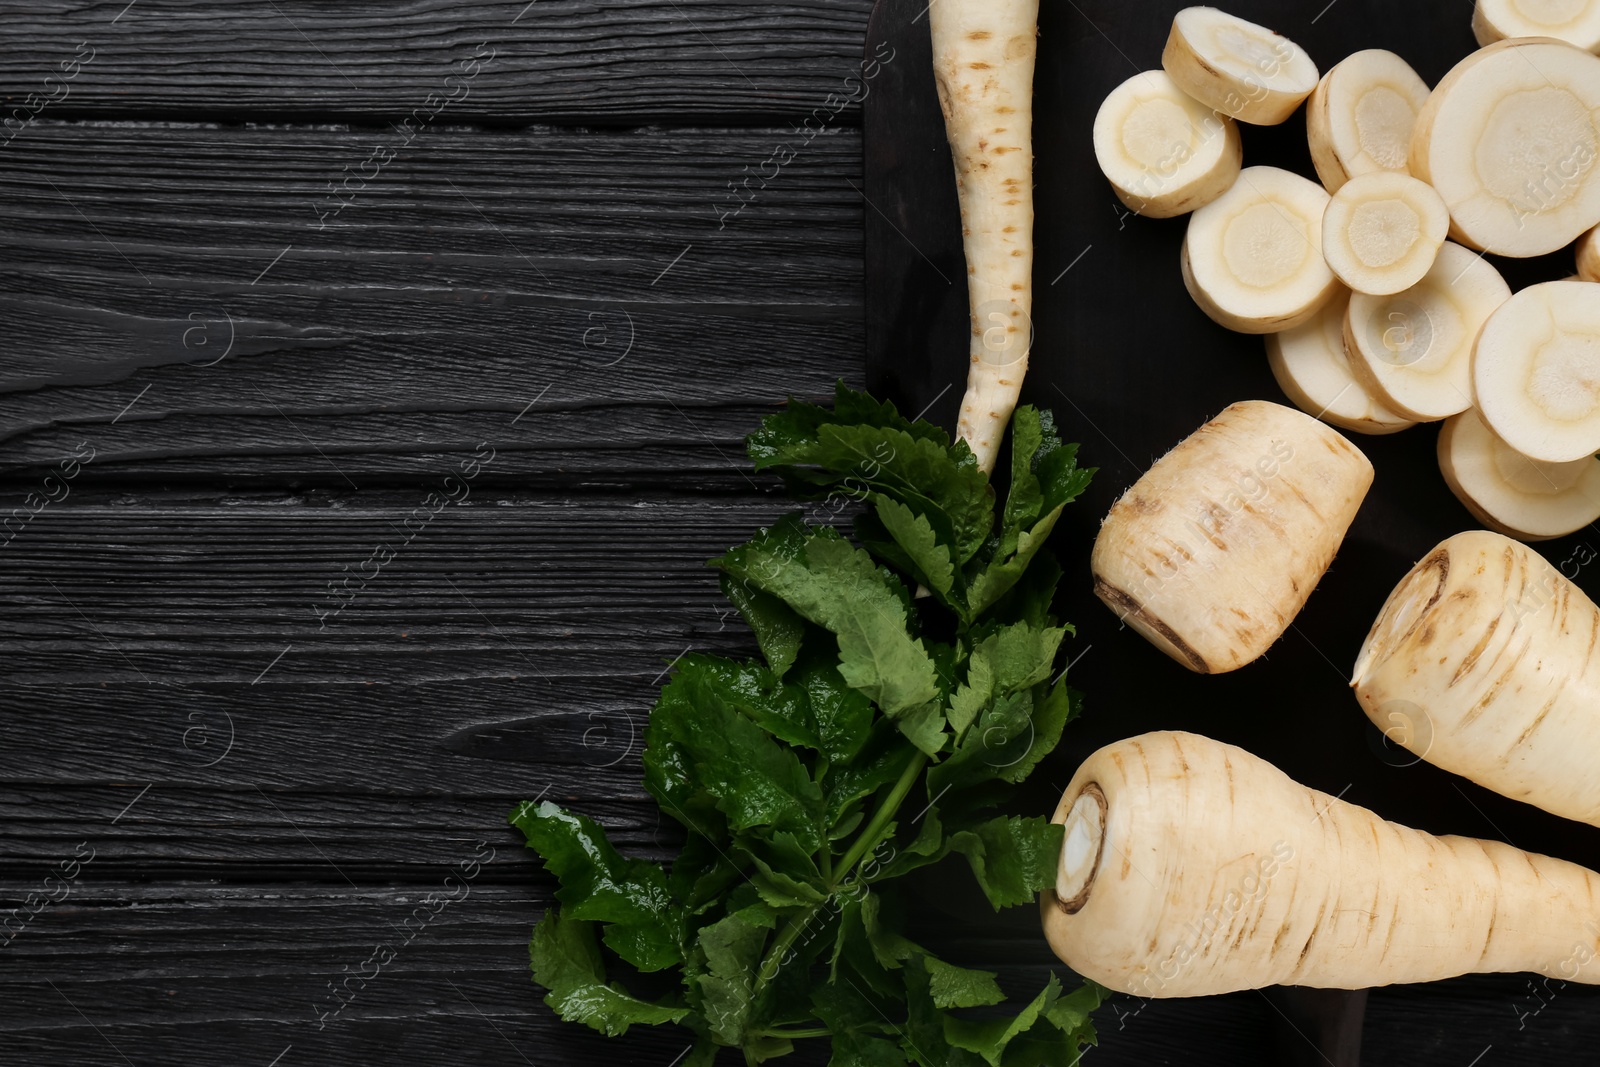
{"x": 1164, "y": 151}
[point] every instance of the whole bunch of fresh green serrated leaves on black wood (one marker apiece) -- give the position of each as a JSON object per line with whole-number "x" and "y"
{"x": 906, "y": 681}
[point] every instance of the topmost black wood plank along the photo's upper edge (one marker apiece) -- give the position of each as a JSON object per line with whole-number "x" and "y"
{"x": 572, "y": 62}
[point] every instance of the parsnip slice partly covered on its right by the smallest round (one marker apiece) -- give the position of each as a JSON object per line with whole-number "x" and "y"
{"x": 1254, "y": 258}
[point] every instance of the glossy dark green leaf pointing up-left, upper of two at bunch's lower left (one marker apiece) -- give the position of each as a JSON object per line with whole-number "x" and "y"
{"x": 646, "y": 925}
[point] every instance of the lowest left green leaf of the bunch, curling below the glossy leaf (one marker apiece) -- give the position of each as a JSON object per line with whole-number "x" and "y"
{"x": 566, "y": 961}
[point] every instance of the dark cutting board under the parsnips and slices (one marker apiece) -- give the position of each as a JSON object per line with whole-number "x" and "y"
{"x": 1130, "y": 367}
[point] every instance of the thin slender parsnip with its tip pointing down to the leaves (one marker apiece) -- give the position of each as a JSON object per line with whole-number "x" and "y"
{"x": 983, "y": 65}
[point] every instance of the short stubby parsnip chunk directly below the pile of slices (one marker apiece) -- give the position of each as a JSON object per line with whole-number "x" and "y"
{"x": 1214, "y": 553}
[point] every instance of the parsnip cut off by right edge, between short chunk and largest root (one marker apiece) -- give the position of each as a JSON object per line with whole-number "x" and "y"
{"x": 1495, "y": 653}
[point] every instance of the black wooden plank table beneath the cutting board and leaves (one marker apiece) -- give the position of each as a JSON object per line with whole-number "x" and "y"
{"x": 370, "y": 393}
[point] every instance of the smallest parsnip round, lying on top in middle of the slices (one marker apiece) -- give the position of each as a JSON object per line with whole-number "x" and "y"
{"x": 1383, "y": 231}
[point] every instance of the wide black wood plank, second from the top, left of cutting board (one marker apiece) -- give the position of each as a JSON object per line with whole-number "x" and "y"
{"x": 582, "y": 282}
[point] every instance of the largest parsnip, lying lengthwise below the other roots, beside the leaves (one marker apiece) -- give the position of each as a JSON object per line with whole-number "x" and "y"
{"x": 1218, "y": 873}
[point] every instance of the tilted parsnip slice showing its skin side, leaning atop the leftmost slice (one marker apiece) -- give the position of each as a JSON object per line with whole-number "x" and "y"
{"x": 1238, "y": 68}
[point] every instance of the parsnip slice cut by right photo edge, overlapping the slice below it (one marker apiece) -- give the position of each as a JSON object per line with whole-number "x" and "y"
{"x": 1537, "y": 372}
